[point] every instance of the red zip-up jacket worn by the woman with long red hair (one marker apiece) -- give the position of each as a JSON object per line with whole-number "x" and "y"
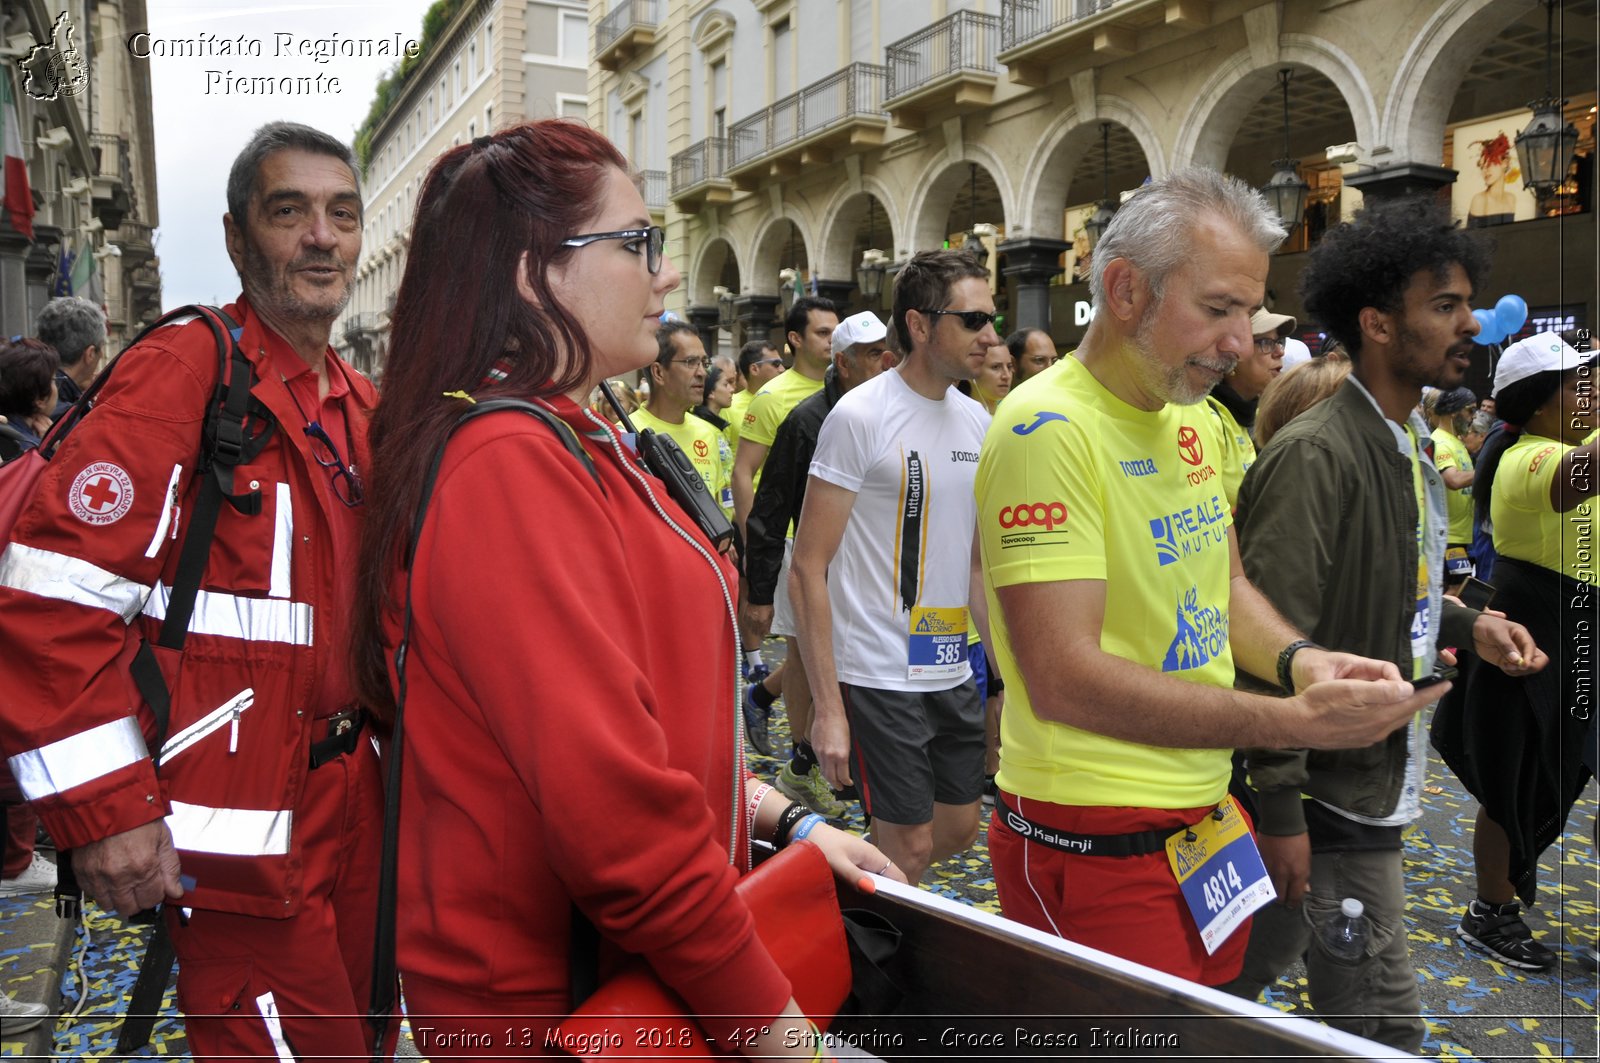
{"x": 570, "y": 740}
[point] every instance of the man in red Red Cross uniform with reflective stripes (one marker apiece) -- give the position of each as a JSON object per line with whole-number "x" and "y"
{"x": 262, "y": 828}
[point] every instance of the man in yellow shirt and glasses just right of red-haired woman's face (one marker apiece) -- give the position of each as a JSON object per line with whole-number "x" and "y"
{"x": 676, "y": 383}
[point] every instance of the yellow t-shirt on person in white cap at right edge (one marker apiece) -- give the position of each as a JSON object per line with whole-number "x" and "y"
{"x": 1526, "y": 526}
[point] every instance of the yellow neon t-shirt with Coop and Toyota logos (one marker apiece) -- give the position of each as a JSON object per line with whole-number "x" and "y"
{"x": 1076, "y": 484}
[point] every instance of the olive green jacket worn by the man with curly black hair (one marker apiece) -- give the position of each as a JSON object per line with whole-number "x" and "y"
{"x": 1327, "y": 531}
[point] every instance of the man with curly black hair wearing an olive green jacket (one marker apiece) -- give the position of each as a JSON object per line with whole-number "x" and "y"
{"x": 1319, "y": 536}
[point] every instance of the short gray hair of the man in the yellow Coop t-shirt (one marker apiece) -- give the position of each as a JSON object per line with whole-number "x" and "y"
{"x": 1154, "y": 230}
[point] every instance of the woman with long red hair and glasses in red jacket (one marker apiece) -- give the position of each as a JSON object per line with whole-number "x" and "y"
{"x": 567, "y": 753}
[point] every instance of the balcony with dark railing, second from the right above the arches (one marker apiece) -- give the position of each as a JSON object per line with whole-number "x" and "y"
{"x": 948, "y": 65}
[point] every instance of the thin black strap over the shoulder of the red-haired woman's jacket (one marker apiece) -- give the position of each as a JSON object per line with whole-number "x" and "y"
{"x": 385, "y": 971}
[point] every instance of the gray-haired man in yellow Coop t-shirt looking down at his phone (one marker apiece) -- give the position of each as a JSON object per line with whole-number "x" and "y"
{"x": 1119, "y": 606}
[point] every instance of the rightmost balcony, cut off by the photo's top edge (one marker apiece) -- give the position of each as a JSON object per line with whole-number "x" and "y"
{"x": 1036, "y": 34}
